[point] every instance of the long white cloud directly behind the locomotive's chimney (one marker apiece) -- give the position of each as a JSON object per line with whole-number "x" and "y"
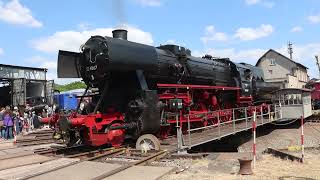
{"x": 71, "y": 40}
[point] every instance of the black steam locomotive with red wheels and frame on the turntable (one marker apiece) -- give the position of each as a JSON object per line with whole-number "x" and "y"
{"x": 142, "y": 89}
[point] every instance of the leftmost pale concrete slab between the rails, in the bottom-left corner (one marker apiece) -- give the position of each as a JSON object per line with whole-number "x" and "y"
{"x": 25, "y": 171}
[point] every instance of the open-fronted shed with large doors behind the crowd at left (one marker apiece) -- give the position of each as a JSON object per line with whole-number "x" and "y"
{"x": 22, "y": 86}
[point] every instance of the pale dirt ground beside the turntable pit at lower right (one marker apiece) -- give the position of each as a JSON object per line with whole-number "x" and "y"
{"x": 225, "y": 166}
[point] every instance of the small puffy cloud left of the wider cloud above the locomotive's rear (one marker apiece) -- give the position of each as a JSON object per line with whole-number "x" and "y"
{"x": 212, "y": 35}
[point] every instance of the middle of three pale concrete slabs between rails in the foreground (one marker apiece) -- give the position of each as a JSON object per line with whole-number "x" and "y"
{"x": 81, "y": 171}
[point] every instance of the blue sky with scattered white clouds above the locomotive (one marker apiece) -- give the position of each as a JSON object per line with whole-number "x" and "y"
{"x": 32, "y": 31}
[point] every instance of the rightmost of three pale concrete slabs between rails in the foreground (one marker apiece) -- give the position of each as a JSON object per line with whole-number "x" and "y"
{"x": 142, "y": 173}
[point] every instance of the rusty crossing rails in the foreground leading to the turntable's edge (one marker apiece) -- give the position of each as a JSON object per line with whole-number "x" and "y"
{"x": 129, "y": 157}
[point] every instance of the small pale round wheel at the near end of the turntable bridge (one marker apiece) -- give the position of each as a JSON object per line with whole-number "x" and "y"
{"x": 148, "y": 142}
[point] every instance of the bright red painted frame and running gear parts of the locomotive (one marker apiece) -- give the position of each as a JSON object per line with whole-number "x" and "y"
{"x": 92, "y": 125}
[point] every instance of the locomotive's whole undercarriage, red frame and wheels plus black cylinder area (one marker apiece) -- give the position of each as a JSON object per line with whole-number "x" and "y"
{"x": 152, "y": 112}
